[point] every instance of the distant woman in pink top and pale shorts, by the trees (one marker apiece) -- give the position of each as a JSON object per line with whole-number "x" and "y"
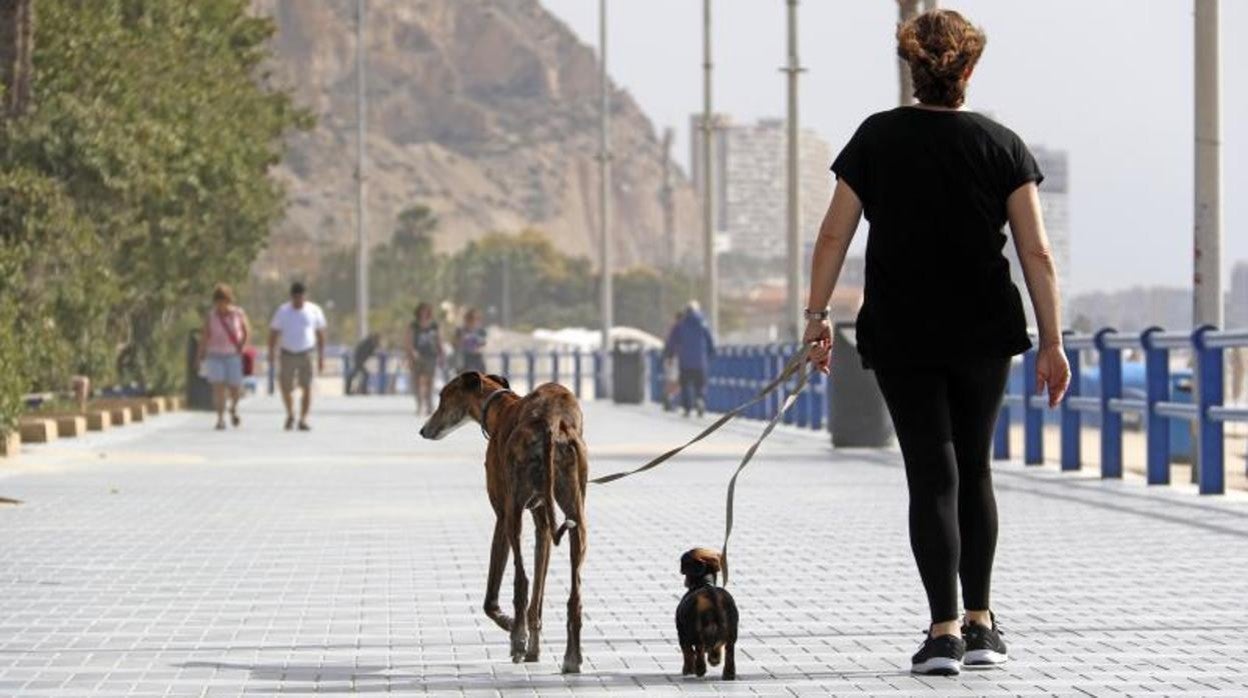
{"x": 224, "y": 338}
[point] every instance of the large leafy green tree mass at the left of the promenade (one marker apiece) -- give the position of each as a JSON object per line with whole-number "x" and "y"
{"x": 138, "y": 179}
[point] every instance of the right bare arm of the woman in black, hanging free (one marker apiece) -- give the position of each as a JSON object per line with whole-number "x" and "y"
{"x": 1036, "y": 258}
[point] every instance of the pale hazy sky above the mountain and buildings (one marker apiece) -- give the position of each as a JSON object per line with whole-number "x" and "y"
{"x": 1108, "y": 81}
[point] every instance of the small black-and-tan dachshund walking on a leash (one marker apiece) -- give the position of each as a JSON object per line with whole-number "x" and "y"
{"x": 706, "y": 616}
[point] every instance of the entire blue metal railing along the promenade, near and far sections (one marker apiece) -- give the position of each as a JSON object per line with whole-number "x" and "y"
{"x": 1105, "y": 391}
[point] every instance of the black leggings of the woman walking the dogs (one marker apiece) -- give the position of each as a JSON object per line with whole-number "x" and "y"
{"x": 944, "y": 419}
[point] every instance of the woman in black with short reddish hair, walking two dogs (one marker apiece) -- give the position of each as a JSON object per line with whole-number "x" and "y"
{"x": 940, "y": 319}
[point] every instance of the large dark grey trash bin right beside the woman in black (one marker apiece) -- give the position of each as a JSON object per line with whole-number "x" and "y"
{"x": 857, "y": 414}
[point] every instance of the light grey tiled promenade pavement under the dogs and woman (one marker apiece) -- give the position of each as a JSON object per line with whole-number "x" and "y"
{"x": 170, "y": 560}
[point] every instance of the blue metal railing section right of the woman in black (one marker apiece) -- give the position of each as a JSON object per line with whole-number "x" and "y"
{"x": 1156, "y": 409}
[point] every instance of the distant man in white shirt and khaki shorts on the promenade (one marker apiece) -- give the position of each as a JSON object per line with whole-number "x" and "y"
{"x": 298, "y": 328}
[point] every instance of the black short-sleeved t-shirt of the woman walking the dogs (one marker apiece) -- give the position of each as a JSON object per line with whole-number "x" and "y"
{"x": 934, "y": 188}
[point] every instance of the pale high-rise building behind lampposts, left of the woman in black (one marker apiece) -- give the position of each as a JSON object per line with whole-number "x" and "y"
{"x": 752, "y": 184}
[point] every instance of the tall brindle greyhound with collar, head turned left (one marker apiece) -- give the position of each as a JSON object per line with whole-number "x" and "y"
{"x": 536, "y": 460}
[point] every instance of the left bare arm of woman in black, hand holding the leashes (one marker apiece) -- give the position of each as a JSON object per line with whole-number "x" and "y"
{"x": 832, "y": 248}
